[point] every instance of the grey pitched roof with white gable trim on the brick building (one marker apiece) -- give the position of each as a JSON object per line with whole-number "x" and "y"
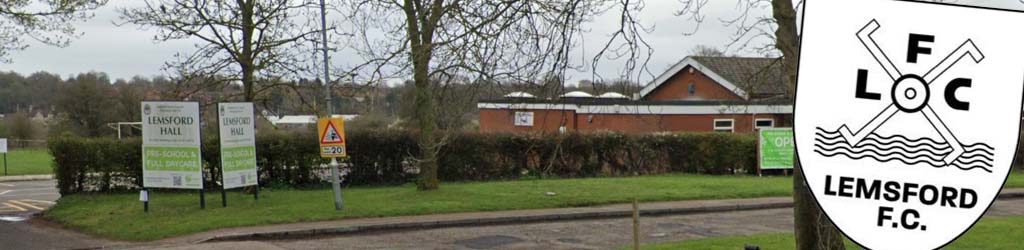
{"x": 747, "y": 77}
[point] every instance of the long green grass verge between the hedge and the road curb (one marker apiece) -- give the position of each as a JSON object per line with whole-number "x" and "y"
{"x": 121, "y": 217}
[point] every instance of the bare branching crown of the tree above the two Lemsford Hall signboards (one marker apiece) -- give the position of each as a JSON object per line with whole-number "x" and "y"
{"x": 243, "y": 41}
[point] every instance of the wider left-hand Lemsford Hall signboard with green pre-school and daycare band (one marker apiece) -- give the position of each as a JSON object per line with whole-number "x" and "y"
{"x": 172, "y": 155}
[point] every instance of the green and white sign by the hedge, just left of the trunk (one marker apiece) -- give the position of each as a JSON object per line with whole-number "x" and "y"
{"x": 776, "y": 149}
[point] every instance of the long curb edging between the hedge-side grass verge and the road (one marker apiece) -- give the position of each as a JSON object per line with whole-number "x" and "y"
{"x": 514, "y": 220}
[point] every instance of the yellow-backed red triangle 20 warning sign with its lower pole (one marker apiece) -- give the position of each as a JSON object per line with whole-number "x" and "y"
{"x": 332, "y": 142}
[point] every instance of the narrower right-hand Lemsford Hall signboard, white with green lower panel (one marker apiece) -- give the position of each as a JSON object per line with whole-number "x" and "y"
{"x": 238, "y": 145}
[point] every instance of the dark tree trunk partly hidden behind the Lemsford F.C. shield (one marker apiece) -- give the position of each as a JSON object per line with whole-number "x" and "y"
{"x": 813, "y": 228}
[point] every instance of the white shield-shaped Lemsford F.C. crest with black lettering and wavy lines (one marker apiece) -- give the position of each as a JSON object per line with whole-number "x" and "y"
{"x": 908, "y": 116}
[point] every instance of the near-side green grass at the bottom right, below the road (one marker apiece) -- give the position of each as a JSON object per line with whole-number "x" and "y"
{"x": 1003, "y": 233}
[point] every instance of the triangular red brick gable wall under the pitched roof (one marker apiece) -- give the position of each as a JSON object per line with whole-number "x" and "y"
{"x": 678, "y": 87}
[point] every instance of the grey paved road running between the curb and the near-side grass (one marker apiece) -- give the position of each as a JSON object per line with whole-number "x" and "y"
{"x": 603, "y": 234}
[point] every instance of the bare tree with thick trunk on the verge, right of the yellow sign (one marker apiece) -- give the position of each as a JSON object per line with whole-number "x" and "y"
{"x": 444, "y": 44}
